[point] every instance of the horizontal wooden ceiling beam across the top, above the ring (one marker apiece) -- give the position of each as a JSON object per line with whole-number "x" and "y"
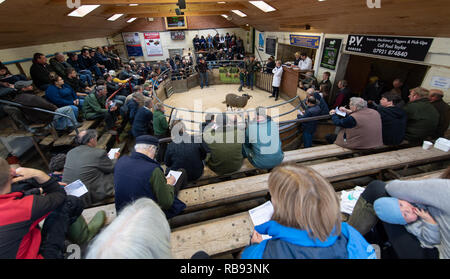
{"x": 171, "y": 8}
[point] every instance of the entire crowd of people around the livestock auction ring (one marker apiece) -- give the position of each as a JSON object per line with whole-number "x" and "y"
{"x": 412, "y": 215}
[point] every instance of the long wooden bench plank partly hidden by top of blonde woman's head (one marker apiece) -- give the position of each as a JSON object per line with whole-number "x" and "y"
{"x": 255, "y": 187}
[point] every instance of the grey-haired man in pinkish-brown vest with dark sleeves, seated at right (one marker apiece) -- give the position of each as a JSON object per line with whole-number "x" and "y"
{"x": 361, "y": 128}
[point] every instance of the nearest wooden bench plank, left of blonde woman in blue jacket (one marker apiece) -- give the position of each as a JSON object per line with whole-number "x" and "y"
{"x": 223, "y": 235}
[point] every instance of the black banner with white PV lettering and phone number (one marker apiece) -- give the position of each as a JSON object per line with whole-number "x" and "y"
{"x": 396, "y": 47}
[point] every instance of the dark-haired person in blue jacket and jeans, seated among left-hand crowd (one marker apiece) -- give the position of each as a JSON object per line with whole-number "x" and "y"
{"x": 62, "y": 95}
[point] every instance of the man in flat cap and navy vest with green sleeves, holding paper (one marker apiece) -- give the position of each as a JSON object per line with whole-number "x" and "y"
{"x": 140, "y": 175}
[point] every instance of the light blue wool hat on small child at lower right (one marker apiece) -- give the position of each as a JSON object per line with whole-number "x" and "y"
{"x": 388, "y": 210}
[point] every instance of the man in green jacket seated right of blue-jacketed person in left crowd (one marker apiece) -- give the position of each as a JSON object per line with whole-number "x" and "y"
{"x": 94, "y": 107}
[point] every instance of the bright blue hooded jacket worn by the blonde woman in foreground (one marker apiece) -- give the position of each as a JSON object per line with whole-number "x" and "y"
{"x": 291, "y": 243}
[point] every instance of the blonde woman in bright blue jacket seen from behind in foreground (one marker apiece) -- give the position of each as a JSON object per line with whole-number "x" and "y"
{"x": 306, "y": 223}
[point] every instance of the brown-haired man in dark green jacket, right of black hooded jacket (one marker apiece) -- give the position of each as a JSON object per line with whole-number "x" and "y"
{"x": 423, "y": 118}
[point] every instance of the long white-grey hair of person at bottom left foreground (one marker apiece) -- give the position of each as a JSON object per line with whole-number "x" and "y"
{"x": 140, "y": 231}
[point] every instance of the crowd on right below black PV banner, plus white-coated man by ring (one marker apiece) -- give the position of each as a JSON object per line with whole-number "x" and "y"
{"x": 377, "y": 117}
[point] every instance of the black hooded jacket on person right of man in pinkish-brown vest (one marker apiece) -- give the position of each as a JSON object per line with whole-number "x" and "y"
{"x": 393, "y": 121}
